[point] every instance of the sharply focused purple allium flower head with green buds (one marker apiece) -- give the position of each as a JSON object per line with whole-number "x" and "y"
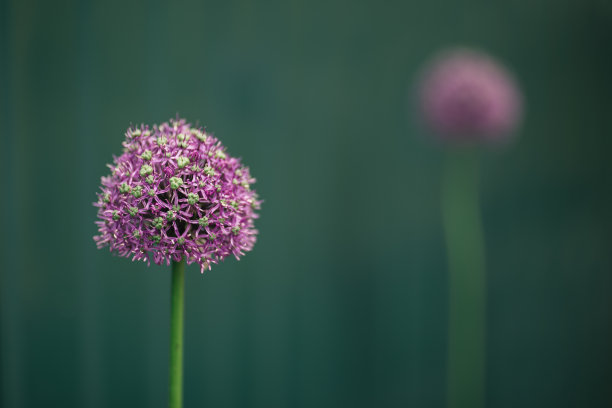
{"x": 174, "y": 193}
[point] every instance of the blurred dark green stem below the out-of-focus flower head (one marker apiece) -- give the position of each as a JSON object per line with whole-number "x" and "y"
{"x": 467, "y": 280}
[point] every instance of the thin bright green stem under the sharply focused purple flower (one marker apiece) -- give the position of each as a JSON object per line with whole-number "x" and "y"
{"x": 176, "y": 333}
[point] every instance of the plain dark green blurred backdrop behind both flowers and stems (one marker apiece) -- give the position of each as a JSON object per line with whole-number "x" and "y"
{"x": 343, "y": 302}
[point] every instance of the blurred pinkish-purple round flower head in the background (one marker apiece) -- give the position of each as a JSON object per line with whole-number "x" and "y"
{"x": 467, "y": 96}
